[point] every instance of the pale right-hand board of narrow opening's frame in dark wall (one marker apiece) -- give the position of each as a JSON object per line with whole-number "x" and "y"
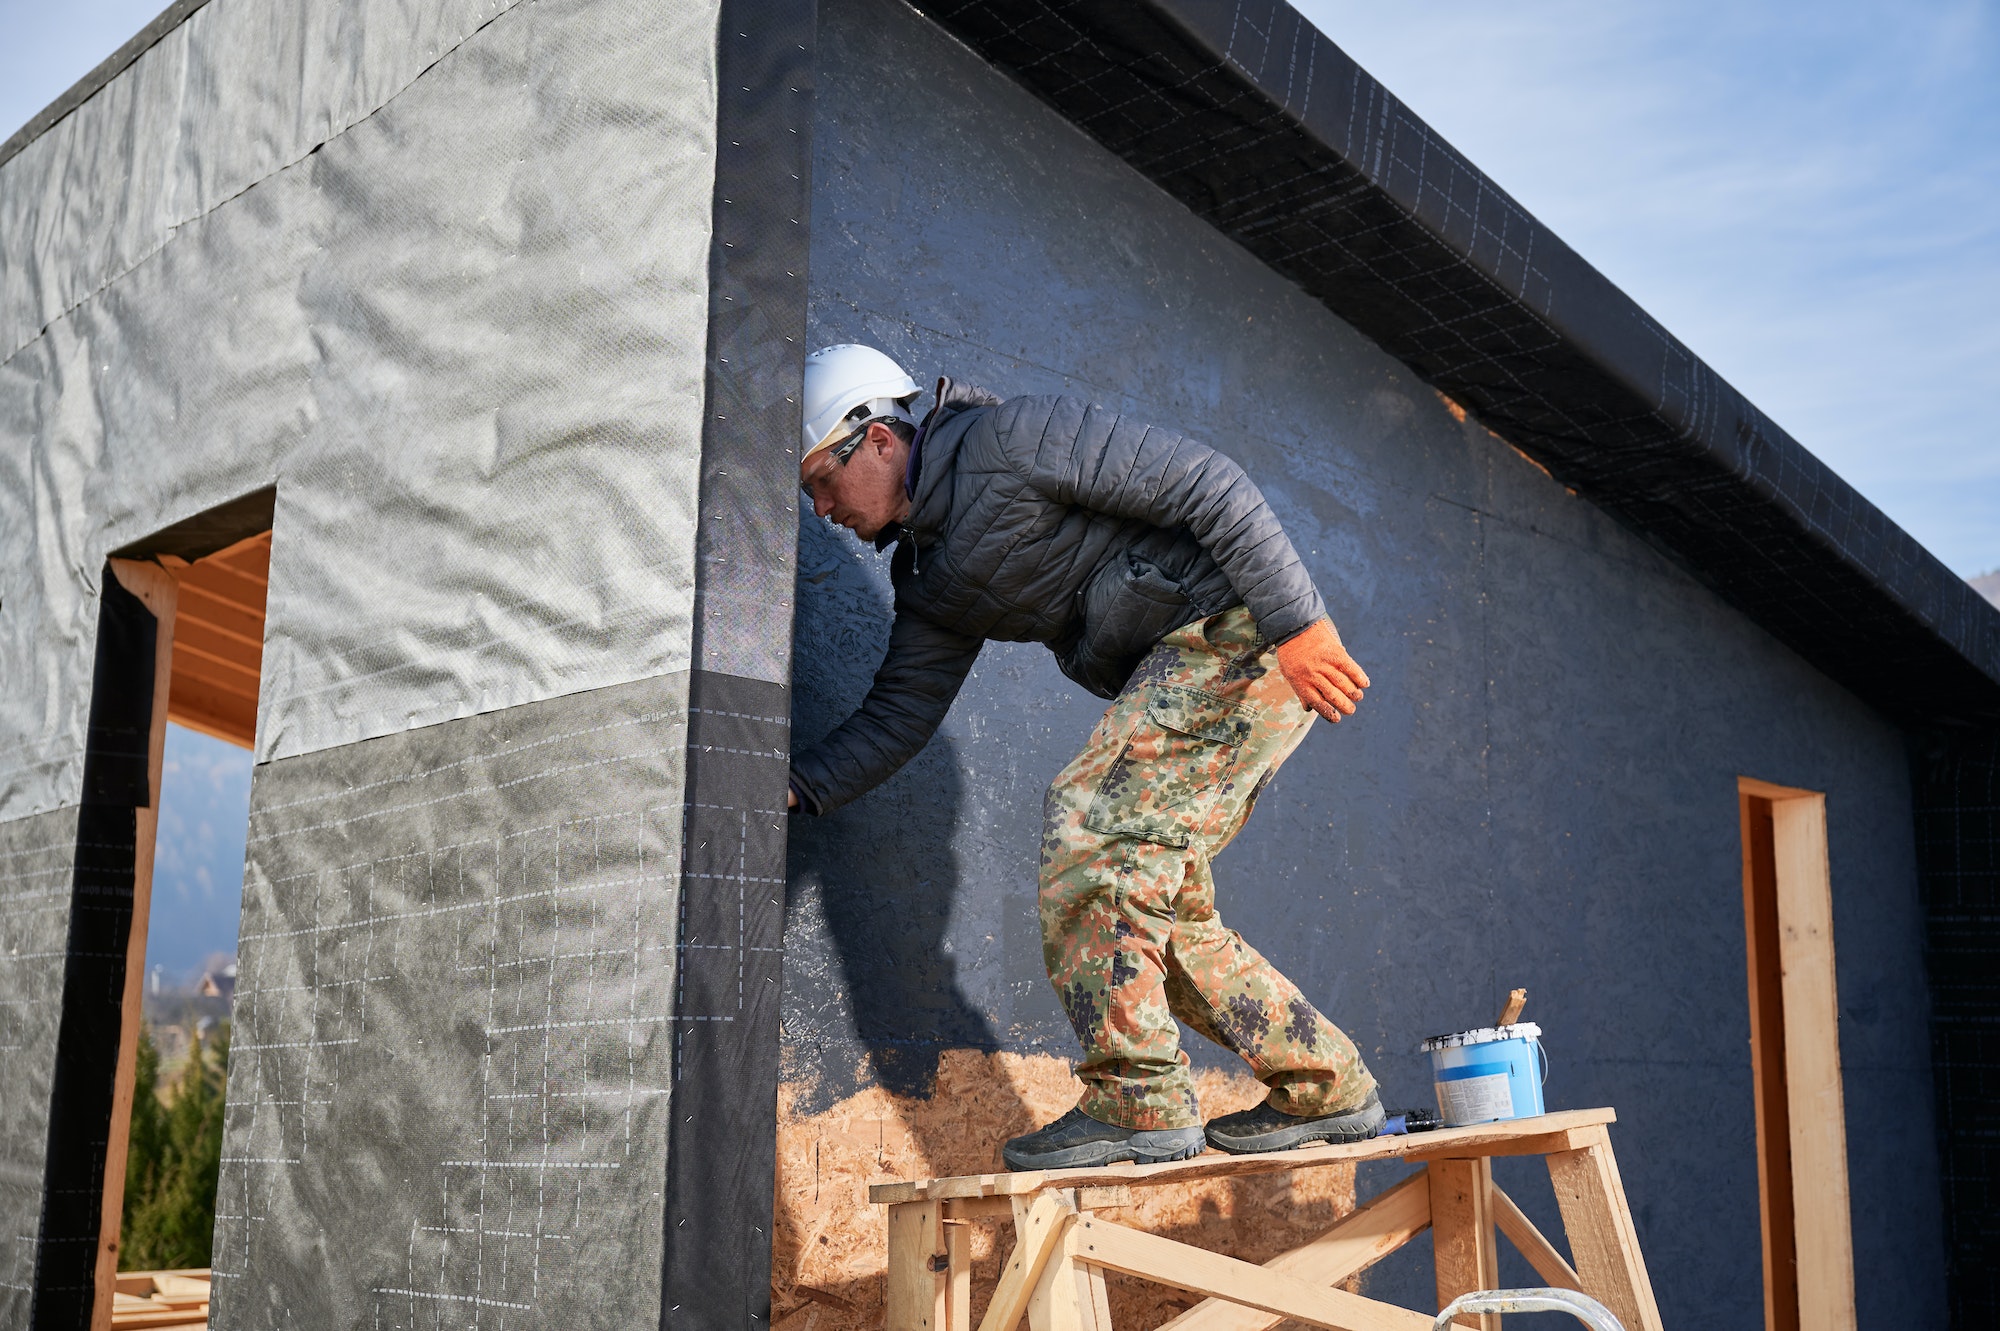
{"x": 1821, "y": 1204}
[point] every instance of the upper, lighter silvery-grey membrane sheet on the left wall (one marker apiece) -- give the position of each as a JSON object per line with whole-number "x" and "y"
{"x": 435, "y": 271}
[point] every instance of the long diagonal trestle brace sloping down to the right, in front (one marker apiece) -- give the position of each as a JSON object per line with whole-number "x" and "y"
{"x": 1201, "y": 1272}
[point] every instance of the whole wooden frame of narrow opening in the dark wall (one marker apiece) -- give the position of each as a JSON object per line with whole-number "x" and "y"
{"x": 1801, "y": 1114}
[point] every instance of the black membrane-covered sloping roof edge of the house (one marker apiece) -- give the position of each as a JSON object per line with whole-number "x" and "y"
{"x": 1271, "y": 133}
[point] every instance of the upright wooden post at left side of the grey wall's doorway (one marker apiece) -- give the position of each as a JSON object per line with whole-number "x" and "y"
{"x": 157, "y": 589}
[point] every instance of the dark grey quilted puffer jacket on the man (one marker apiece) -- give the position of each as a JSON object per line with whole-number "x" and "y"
{"x": 1053, "y": 521}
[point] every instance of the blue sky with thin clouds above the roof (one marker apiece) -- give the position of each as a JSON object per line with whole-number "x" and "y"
{"x": 1807, "y": 193}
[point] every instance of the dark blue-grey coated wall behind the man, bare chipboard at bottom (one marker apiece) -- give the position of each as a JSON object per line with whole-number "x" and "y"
{"x": 1541, "y": 788}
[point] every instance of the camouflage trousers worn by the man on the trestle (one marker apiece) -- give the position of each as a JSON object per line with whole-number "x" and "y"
{"x": 1129, "y": 908}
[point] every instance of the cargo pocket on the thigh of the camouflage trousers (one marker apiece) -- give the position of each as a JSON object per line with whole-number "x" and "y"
{"x": 1177, "y": 764}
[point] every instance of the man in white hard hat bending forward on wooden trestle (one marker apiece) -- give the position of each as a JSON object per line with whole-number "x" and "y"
{"x": 1159, "y": 577}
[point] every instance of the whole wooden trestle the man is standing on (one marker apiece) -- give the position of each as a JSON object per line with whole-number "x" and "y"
{"x": 1063, "y": 1246}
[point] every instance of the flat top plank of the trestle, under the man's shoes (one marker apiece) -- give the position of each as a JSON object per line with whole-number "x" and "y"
{"x": 1539, "y": 1136}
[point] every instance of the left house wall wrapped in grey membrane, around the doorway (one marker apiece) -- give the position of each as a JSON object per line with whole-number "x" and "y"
{"x": 443, "y": 277}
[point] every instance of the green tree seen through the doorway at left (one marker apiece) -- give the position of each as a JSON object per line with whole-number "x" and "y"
{"x": 175, "y": 1158}
